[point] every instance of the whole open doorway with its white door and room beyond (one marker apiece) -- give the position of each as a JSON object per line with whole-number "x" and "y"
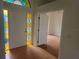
{"x": 50, "y": 25}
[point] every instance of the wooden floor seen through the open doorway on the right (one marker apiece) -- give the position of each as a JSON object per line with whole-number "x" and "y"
{"x": 52, "y": 45}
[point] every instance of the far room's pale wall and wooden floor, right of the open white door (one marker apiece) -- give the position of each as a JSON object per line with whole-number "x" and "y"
{"x": 54, "y": 30}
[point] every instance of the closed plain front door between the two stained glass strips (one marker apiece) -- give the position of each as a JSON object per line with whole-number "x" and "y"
{"x": 16, "y": 25}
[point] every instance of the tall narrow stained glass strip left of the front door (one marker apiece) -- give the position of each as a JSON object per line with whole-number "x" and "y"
{"x": 6, "y": 30}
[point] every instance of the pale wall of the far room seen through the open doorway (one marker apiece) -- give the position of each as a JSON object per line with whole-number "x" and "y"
{"x": 55, "y": 22}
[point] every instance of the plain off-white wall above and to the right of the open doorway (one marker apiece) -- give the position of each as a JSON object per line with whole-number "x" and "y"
{"x": 69, "y": 45}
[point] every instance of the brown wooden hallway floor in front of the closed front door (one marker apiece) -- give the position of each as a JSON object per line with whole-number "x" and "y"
{"x": 32, "y": 53}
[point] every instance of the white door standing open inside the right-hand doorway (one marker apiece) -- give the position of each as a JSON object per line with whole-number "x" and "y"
{"x": 43, "y": 29}
